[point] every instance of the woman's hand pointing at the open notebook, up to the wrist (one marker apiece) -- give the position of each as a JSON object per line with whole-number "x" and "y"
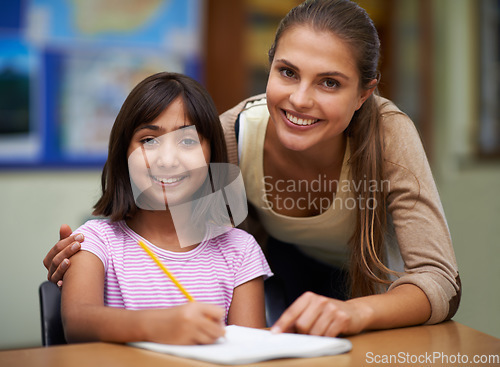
{"x": 318, "y": 315}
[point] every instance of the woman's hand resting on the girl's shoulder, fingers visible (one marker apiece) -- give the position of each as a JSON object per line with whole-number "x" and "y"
{"x": 57, "y": 259}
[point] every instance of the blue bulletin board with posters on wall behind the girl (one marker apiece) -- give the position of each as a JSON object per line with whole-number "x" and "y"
{"x": 66, "y": 67}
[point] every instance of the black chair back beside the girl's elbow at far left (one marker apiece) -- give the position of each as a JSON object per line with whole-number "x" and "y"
{"x": 50, "y": 314}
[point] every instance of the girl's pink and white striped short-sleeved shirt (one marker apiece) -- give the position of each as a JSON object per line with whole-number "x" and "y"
{"x": 210, "y": 272}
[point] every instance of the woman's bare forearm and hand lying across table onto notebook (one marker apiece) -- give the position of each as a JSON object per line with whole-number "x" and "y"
{"x": 317, "y": 315}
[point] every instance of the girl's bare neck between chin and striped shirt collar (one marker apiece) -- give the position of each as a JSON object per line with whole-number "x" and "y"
{"x": 158, "y": 228}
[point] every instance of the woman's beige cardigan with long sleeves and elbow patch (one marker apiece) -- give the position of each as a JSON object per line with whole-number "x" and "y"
{"x": 418, "y": 223}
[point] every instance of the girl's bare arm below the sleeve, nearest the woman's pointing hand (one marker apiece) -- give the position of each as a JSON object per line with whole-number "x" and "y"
{"x": 247, "y": 307}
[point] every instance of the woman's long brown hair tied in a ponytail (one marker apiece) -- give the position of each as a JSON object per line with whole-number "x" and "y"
{"x": 351, "y": 23}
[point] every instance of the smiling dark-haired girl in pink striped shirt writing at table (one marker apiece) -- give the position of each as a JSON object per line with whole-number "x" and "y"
{"x": 167, "y": 131}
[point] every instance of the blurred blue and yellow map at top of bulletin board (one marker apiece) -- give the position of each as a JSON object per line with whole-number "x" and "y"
{"x": 172, "y": 25}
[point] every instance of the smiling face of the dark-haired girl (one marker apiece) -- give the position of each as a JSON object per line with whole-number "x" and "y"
{"x": 168, "y": 161}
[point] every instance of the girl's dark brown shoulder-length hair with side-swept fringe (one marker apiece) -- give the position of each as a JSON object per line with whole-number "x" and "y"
{"x": 142, "y": 106}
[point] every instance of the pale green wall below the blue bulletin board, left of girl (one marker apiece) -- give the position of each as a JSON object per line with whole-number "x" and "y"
{"x": 33, "y": 206}
